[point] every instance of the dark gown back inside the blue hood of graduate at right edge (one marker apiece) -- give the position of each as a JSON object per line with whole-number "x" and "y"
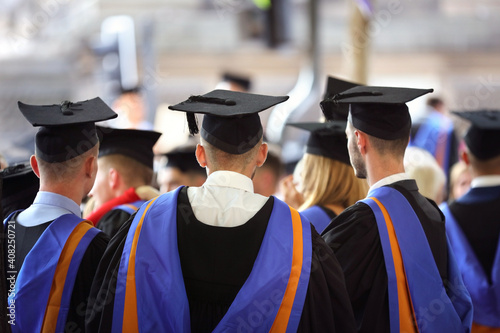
{"x": 478, "y": 219}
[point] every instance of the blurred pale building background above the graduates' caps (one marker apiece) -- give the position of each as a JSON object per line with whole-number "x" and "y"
{"x": 56, "y": 50}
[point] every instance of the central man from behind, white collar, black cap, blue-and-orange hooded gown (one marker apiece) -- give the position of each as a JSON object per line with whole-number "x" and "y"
{"x": 220, "y": 257}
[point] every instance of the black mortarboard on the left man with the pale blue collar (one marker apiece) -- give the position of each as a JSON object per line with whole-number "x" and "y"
{"x": 66, "y": 130}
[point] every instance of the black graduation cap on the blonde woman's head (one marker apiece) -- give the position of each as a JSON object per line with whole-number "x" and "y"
{"x": 326, "y": 139}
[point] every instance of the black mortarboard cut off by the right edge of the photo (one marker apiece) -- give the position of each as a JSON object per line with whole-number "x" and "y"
{"x": 483, "y": 136}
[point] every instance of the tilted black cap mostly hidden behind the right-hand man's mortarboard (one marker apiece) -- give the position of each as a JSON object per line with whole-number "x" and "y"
{"x": 331, "y": 110}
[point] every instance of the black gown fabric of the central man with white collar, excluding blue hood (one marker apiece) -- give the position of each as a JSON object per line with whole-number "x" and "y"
{"x": 216, "y": 262}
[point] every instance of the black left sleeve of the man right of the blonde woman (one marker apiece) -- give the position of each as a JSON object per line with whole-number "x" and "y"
{"x": 353, "y": 236}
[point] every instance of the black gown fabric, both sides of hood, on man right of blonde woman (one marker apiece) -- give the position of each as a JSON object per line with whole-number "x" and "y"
{"x": 353, "y": 236}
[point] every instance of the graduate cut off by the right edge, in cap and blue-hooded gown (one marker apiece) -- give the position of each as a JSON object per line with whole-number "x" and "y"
{"x": 472, "y": 219}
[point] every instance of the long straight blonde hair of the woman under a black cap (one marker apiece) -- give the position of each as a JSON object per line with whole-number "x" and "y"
{"x": 327, "y": 181}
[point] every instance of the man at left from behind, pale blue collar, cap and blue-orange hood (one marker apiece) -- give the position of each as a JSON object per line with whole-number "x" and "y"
{"x": 56, "y": 251}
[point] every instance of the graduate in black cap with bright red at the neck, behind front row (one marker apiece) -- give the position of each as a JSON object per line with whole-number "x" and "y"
{"x": 123, "y": 182}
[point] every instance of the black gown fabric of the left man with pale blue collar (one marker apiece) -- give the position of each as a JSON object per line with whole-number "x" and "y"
{"x": 26, "y": 237}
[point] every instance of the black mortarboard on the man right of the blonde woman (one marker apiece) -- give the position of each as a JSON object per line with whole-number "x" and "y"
{"x": 380, "y": 111}
